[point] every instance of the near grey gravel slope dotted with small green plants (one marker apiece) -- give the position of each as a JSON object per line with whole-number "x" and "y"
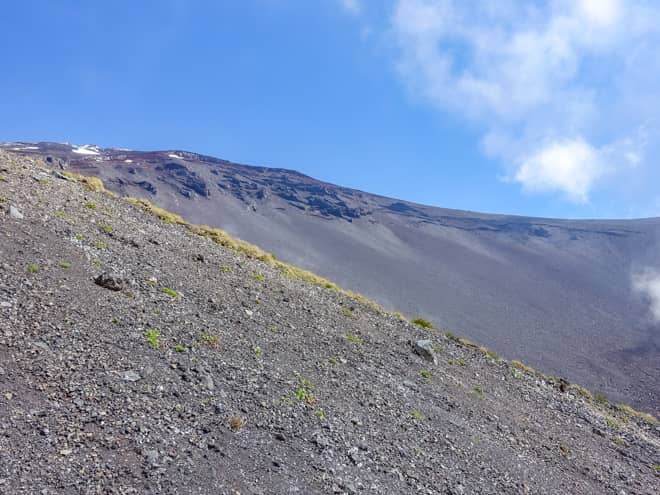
{"x": 137, "y": 356}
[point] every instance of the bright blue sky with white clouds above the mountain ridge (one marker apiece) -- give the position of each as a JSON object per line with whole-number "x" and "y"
{"x": 531, "y": 108}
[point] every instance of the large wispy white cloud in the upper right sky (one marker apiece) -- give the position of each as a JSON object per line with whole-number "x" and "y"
{"x": 557, "y": 87}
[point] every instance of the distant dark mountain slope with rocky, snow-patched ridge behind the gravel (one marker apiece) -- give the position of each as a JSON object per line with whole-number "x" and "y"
{"x": 555, "y": 293}
